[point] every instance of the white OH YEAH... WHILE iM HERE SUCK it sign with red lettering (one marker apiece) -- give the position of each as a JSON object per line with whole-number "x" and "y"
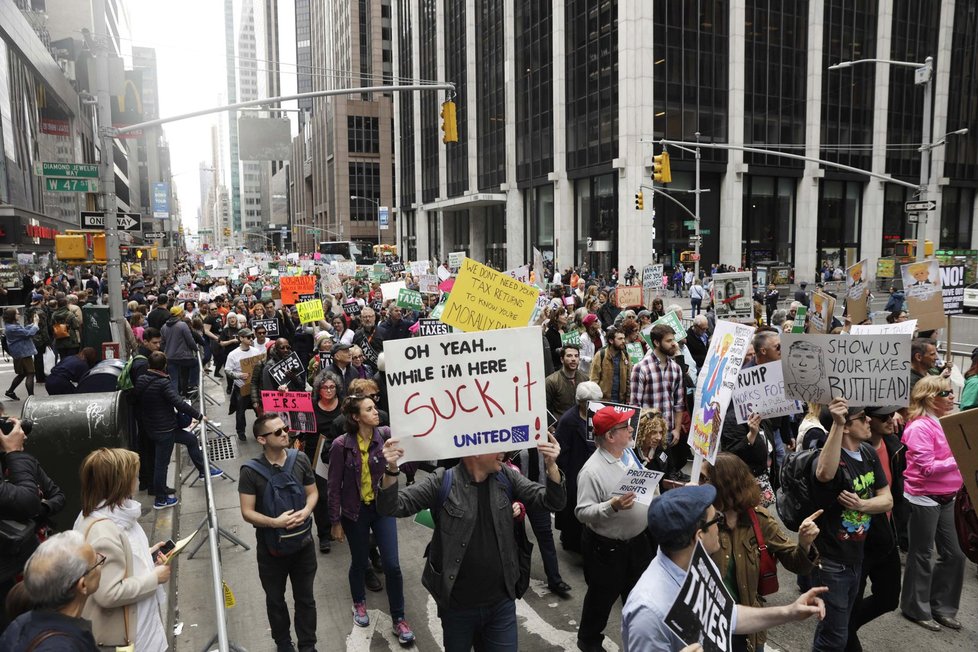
{"x": 466, "y": 393}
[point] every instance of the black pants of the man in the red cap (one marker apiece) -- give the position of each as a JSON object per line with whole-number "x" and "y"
{"x": 611, "y": 569}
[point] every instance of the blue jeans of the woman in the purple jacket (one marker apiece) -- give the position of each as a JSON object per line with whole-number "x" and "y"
{"x": 358, "y": 536}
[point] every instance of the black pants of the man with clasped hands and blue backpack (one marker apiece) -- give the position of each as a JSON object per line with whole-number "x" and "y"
{"x": 300, "y": 570}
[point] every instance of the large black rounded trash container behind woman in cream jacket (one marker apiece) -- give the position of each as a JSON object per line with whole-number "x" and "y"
{"x": 66, "y": 429}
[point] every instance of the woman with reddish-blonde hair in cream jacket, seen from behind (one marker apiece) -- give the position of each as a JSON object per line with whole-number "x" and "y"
{"x": 125, "y": 610}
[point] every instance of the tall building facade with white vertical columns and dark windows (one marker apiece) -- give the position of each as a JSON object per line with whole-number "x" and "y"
{"x": 561, "y": 107}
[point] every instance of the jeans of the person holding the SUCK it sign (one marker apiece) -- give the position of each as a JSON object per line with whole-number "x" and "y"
{"x": 494, "y": 627}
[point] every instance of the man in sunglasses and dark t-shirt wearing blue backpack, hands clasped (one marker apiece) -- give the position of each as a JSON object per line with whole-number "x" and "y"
{"x": 277, "y": 493}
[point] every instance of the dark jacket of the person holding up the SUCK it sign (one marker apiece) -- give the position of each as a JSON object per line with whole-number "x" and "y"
{"x": 456, "y": 521}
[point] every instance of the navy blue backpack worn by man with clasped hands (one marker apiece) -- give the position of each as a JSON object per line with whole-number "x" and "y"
{"x": 282, "y": 493}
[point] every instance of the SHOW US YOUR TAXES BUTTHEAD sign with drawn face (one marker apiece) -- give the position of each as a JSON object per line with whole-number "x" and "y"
{"x": 865, "y": 369}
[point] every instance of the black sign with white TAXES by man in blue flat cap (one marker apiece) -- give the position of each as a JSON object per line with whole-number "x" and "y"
{"x": 703, "y": 610}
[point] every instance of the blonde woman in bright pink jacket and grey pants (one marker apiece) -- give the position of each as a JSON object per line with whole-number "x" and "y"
{"x": 931, "y": 593}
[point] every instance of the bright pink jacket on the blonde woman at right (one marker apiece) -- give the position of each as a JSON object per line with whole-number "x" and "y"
{"x": 931, "y": 469}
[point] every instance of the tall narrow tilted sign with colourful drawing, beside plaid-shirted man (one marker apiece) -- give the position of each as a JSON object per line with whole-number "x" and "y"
{"x": 715, "y": 384}
